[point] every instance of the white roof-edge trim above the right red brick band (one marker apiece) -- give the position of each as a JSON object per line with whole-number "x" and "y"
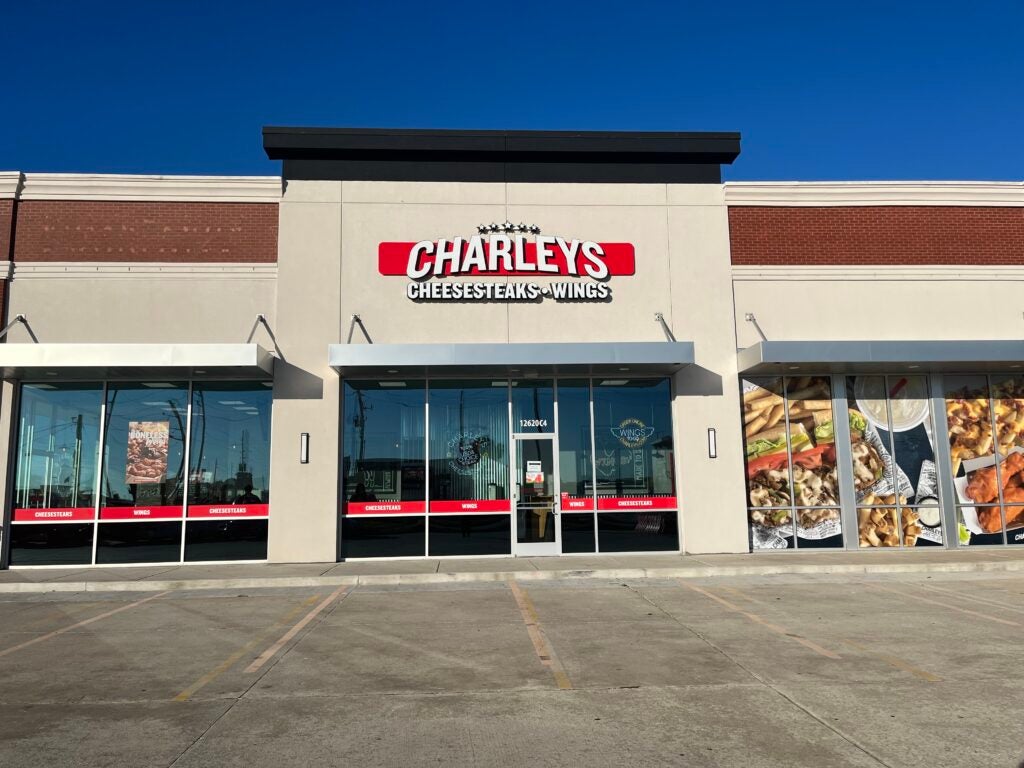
{"x": 820, "y": 194}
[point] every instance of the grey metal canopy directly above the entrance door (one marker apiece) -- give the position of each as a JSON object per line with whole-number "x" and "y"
{"x": 406, "y": 361}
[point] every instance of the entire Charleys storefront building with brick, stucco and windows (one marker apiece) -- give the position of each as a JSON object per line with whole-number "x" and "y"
{"x": 450, "y": 344}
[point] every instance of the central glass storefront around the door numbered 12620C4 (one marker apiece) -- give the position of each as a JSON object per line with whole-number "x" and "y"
{"x": 468, "y": 492}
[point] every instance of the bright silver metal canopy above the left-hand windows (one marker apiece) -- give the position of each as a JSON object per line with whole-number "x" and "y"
{"x": 45, "y": 362}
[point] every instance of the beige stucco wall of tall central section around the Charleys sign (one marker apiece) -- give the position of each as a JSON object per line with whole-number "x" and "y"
{"x": 328, "y": 272}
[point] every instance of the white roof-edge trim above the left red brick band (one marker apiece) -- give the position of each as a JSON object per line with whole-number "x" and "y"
{"x": 106, "y": 187}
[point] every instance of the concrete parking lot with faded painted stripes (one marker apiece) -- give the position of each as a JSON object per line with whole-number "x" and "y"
{"x": 917, "y": 670}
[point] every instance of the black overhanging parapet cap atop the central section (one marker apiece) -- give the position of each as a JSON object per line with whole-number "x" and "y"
{"x": 530, "y": 157}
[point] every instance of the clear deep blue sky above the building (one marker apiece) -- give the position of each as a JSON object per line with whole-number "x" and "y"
{"x": 902, "y": 91}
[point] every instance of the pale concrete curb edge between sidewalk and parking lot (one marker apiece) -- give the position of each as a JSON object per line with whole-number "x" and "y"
{"x": 707, "y": 572}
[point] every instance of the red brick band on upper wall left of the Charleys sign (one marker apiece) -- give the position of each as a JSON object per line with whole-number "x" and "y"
{"x": 99, "y": 231}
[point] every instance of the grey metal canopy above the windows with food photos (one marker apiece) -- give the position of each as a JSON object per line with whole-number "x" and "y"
{"x": 777, "y": 358}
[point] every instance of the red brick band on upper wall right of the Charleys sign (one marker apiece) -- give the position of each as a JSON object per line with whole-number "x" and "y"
{"x": 877, "y": 235}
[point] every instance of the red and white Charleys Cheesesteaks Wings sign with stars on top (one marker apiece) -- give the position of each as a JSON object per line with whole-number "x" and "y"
{"x": 507, "y": 251}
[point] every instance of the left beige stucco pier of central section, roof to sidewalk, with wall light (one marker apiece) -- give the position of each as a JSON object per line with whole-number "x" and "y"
{"x": 304, "y": 497}
